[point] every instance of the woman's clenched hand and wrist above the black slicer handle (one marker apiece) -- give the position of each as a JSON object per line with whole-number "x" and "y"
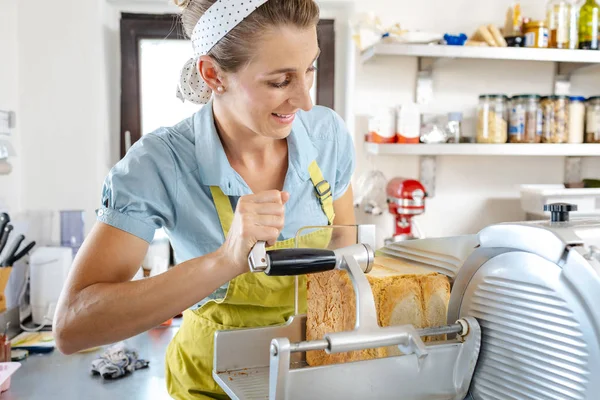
{"x": 258, "y": 217}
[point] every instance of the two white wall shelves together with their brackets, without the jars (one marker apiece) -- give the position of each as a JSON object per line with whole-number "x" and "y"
{"x": 567, "y": 62}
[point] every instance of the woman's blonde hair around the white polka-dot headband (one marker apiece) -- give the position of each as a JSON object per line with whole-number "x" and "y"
{"x": 234, "y": 50}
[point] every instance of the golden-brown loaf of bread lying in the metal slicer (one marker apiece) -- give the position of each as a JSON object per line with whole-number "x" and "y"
{"x": 404, "y": 294}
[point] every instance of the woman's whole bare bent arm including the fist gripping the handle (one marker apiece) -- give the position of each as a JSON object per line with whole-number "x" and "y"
{"x": 100, "y": 304}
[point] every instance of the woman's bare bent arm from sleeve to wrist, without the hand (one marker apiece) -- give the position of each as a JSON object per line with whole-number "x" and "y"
{"x": 100, "y": 304}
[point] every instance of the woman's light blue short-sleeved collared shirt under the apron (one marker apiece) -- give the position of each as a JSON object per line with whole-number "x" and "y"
{"x": 164, "y": 180}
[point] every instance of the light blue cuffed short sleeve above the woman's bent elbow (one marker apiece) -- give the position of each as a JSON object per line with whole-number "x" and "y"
{"x": 140, "y": 190}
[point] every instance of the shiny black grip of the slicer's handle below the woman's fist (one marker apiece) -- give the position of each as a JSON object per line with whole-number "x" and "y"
{"x": 290, "y": 262}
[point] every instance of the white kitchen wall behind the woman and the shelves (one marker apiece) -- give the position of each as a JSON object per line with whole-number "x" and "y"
{"x": 68, "y": 105}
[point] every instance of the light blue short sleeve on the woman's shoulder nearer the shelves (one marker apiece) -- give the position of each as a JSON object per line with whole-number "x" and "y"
{"x": 346, "y": 157}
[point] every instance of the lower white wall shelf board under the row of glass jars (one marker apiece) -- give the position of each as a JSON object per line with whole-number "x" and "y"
{"x": 464, "y": 149}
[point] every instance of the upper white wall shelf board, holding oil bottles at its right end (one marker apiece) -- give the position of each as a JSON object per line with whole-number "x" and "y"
{"x": 488, "y": 53}
